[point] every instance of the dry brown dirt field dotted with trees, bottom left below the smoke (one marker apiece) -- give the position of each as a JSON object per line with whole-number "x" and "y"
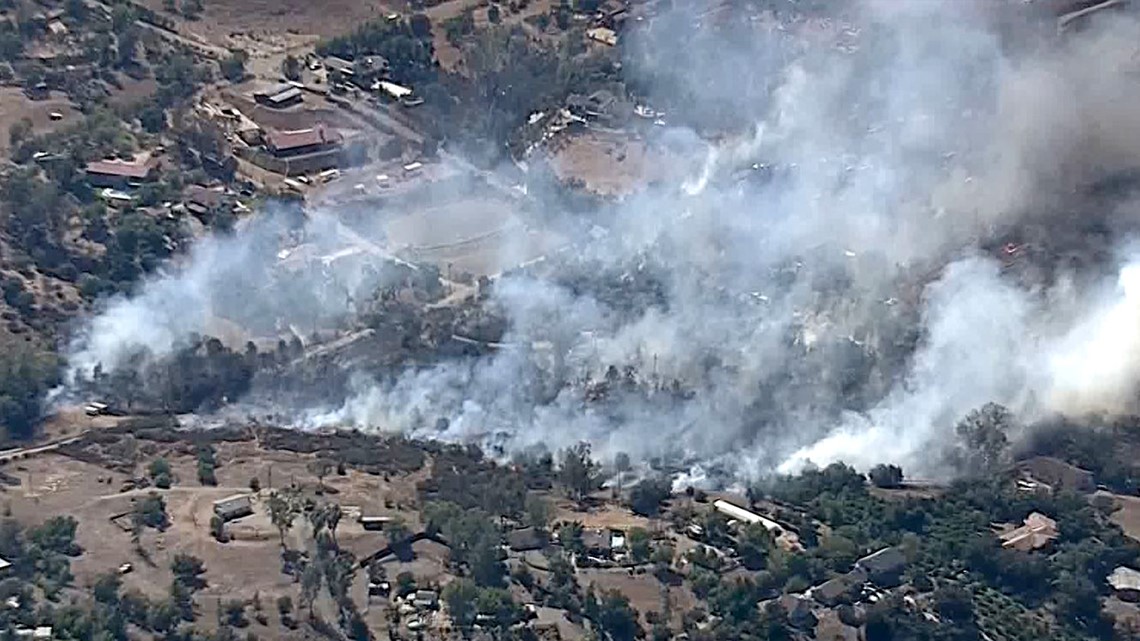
{"x": 54, "y": 484}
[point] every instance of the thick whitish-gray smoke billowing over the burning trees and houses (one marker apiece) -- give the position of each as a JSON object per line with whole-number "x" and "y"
{"x": 819, "y": 289}
